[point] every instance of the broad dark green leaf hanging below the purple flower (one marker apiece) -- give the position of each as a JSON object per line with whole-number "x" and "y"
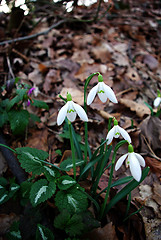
{"x": 18, "y": 121}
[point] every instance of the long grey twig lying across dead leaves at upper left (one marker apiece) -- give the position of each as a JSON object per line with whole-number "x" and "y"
{"x": 34, "y": 35}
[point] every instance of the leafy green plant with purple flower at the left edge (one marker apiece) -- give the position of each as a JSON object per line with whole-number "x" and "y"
{"x": 13, "y": 110}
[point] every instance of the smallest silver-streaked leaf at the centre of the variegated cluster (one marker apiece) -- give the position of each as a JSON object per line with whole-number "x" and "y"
{"x": 66, "y": 182}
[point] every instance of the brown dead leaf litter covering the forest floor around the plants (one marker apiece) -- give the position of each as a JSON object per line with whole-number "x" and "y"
{"x": 125, "y": 47}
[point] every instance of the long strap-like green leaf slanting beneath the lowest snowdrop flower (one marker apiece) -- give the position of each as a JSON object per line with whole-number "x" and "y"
{"x": 126, "y": 190}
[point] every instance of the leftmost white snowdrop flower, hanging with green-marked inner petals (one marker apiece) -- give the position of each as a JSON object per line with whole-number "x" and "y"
{"x": 70, "y": 110}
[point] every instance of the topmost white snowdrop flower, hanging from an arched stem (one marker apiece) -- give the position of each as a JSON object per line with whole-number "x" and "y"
{"x": 103, "y": 92}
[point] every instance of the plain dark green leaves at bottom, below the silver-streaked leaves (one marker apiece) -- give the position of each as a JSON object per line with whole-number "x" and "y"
{"x": 71, "y": 224}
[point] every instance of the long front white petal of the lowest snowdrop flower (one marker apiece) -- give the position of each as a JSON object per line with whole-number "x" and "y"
{"x": 135, "y": 168}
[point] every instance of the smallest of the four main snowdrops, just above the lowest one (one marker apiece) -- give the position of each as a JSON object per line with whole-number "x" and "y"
{"x": 115, "y": 132}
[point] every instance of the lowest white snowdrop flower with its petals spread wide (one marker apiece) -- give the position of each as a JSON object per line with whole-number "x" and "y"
{"x": 134, "y": 160}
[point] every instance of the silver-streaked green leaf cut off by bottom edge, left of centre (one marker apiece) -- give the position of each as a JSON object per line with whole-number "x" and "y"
{"x": 43, "y": 233}
